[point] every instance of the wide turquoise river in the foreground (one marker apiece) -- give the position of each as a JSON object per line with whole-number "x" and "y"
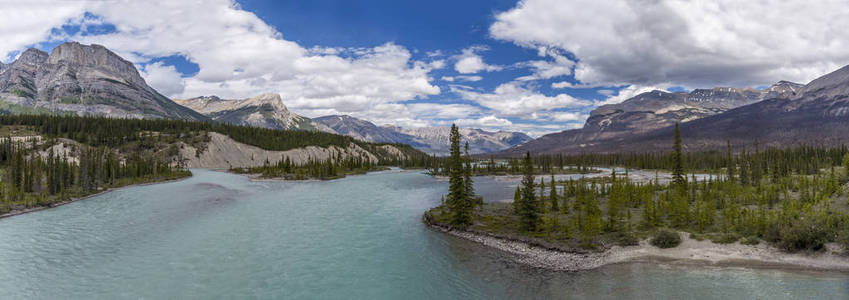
{"x": 218, "y": 235}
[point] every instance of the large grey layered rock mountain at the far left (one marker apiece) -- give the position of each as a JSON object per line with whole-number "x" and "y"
{"x": 85, "y": 80}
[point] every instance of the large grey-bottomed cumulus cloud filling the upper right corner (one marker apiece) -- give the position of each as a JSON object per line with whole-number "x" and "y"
{"x": 688, "y": 43}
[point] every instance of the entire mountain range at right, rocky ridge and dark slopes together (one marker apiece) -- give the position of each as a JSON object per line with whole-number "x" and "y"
{"x": 783, "y": 115}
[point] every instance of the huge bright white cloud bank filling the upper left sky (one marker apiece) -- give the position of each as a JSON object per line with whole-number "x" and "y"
{"x": 238, "y": 54}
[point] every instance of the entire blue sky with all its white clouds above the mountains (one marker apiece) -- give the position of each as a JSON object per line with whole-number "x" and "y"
{"x": 536, "y": 66}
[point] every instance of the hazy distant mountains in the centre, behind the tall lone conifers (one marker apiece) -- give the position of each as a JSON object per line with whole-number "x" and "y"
{"x": 432, "y": 140}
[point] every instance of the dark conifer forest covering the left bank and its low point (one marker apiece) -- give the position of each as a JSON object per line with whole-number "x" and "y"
{"x": 47, "y": 159}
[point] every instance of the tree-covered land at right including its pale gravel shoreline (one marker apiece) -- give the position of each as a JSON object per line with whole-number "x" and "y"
{"x": 783, "y": 207}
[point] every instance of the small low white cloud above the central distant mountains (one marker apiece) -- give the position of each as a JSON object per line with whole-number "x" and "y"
{"x": 513, "y": 99}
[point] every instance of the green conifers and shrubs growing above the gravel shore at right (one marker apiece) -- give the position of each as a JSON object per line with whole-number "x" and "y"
{"x": 794, "y": 198}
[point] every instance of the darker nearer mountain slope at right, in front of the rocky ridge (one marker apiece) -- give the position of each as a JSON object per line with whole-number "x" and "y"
{"x": 791, "y": 114}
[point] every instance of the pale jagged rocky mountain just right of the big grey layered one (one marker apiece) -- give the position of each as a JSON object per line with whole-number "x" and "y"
{"x": 266, "y": 110}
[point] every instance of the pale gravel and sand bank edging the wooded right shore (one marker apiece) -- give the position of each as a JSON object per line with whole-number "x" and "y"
{"x": 689, "y": 252}
